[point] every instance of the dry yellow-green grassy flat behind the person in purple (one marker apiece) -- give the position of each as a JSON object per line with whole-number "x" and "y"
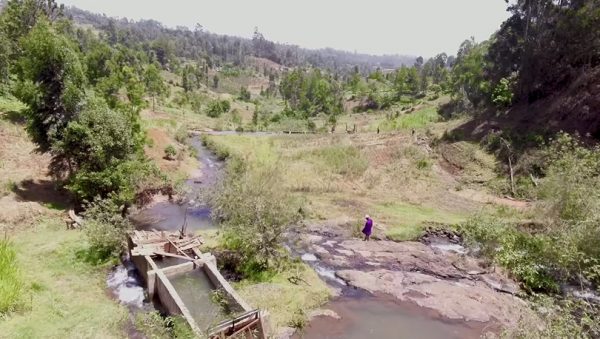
{"x": 341, "y": 176}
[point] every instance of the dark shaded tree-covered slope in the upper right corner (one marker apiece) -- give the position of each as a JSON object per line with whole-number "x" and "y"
{"x": 539, "y": 71}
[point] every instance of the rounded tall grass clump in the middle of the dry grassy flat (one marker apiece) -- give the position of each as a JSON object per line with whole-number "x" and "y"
{"x": 343, "y": 160}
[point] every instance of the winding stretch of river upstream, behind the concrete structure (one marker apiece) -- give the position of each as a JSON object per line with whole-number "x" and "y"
{"x": 193, "y": 209}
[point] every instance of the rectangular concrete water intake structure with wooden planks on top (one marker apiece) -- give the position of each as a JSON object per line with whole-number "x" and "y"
{"x": 187, "y": 282}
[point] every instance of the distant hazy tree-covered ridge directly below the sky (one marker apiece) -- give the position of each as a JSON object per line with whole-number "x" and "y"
{"x": 199, "y": 44}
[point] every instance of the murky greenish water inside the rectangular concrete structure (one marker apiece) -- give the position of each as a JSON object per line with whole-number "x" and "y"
{"x": 195, "y": 289}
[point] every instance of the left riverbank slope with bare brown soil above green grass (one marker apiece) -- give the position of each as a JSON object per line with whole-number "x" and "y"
{"x": 48, "y": 286}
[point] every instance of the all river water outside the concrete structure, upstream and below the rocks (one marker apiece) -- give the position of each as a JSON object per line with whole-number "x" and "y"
{"x": 363, "y": 315}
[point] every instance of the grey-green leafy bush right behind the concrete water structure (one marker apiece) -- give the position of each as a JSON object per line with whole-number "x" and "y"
{"x": 255, "y": 212}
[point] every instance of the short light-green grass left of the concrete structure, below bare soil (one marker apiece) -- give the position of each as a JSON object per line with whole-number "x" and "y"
{"x": 64, "y": 296}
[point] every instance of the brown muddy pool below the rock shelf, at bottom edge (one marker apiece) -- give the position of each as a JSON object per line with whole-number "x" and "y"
{"x": 381, "y": 317}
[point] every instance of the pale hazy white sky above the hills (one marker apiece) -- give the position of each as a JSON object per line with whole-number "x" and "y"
{"x": 416, "y": 27}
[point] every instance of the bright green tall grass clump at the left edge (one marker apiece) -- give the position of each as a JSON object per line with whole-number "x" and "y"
{"x": 10, "y": 278}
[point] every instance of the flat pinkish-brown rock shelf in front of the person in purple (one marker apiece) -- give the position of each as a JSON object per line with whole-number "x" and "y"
{"x": 437, "y": 274}
